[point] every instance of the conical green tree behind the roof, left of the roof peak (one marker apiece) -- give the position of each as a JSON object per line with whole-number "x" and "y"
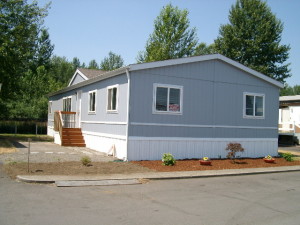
{"x": 172, "y": 38}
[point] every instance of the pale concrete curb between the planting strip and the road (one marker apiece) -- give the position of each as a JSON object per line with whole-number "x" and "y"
{"x": 159, "y": 175}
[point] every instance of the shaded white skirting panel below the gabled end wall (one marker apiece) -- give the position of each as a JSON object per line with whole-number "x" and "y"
{"x": 143, "y": 148}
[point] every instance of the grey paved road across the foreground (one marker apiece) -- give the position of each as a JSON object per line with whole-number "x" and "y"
{"x": 254, "y": 199}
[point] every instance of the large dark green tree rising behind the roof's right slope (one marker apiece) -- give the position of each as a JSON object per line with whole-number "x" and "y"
{"x": 253, "y": 38}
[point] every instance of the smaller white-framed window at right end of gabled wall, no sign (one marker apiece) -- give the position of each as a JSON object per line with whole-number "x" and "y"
{"x": 254, "y": 105}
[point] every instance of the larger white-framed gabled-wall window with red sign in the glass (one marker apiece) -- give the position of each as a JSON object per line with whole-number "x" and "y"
{"x": 167, "y": 99}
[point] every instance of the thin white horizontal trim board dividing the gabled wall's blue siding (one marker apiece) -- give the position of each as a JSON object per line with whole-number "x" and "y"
{"x": 200, "y": 126}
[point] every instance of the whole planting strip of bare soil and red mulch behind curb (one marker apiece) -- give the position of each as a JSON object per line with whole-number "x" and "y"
{"x": 98, "y": 168}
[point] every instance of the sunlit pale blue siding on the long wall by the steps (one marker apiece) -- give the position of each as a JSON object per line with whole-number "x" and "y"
{"x": 109, "y": 120}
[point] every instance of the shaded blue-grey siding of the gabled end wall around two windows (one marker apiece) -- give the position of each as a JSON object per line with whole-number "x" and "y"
{"x": 212, "y": 95}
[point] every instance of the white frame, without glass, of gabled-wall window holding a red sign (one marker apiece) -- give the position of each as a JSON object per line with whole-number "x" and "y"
{"x": 155, "y": 86}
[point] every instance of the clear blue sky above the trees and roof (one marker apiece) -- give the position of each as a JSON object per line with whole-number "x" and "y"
{"x": 89, "y": 29}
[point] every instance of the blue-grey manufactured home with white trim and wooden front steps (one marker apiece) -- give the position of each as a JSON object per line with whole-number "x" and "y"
{"x": 191, "y": 107}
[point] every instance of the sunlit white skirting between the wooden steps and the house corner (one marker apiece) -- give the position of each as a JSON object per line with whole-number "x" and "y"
{"x": 107, "y": 143}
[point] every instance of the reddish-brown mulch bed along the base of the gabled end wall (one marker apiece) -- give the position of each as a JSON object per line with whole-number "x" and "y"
{"x": 218, "y": 164}
